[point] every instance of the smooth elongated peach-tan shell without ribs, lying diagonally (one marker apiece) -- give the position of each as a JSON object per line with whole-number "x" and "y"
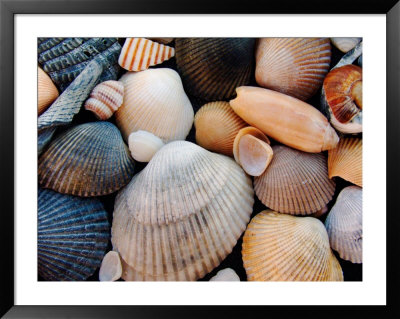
{"x": 285, "y": 119}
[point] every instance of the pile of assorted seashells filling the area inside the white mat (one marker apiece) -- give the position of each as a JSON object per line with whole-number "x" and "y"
{"x": 212, "y": 159}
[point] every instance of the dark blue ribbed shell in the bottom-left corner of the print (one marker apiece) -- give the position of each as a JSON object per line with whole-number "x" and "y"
{"x": 73, "y": 235}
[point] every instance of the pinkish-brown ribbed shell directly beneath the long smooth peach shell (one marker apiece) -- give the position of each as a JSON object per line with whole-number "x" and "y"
{"x": 295, "y": 182}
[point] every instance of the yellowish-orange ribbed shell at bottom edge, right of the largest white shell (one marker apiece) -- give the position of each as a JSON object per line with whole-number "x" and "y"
{"x": 279, "y": 247}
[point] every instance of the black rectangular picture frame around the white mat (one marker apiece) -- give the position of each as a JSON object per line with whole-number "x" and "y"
{"x": 9, "y": 8}
